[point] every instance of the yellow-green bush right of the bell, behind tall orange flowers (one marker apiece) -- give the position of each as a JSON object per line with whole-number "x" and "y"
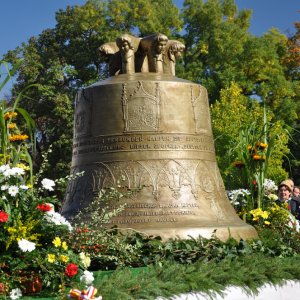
{"x": 238, "y": 123}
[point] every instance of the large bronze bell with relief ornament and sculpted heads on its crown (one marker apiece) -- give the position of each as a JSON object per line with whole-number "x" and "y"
{"x": 152, "y": 129}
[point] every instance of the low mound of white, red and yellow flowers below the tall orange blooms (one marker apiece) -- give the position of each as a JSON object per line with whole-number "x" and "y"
{"x": 33, "y": 236}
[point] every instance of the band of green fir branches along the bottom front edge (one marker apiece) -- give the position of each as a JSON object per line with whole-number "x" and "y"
{"x": 249, "y": 273}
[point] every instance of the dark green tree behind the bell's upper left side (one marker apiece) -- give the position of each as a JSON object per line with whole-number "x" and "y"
{"x": 64, "y": 59}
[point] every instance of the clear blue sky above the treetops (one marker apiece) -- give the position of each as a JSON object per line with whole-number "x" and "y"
{"x": 21, "y": 19}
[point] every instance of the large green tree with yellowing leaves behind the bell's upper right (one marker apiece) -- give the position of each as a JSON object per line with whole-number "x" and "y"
{"x": 221, "y": 50}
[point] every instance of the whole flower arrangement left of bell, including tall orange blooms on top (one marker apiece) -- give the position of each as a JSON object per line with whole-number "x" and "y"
{"x": 34, "y": 252}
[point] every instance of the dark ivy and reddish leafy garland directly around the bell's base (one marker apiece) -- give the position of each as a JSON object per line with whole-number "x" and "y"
{"x": 114, "y": 248}
